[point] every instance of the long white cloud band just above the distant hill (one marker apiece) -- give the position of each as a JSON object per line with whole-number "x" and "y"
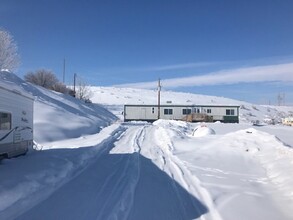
{"x": 269, "y": 73}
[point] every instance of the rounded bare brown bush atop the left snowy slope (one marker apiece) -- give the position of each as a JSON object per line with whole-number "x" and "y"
{"x": 42, "y": 77}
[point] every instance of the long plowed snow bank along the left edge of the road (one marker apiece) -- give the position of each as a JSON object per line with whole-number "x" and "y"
{"x": 43, "y": 172}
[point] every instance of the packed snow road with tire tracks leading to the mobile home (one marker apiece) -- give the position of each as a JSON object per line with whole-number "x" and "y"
{"x": 122, "y": 183}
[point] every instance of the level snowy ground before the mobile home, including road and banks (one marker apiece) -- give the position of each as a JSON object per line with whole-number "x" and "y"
{"x": 153, "y": 171}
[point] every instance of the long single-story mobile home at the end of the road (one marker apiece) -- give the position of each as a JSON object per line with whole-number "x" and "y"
{"x": 192, "y": 113}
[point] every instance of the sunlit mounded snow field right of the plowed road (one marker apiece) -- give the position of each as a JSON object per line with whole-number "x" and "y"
{"x": 245, "y": 169}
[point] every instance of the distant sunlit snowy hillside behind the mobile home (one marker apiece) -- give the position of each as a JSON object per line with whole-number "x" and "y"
{"x": 115, "y": 98}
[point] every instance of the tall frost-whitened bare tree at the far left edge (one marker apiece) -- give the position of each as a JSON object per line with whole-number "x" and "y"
{"x": 9, "y": 58}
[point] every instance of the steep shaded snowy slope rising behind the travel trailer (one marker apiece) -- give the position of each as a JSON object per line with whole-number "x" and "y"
{"x": 58, "y": 116}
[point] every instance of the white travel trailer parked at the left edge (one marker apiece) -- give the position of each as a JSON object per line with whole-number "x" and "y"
{"x": 16, "y": 121}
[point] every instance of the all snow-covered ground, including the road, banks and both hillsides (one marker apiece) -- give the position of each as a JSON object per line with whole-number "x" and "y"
{"x": 94, "y": 167}
